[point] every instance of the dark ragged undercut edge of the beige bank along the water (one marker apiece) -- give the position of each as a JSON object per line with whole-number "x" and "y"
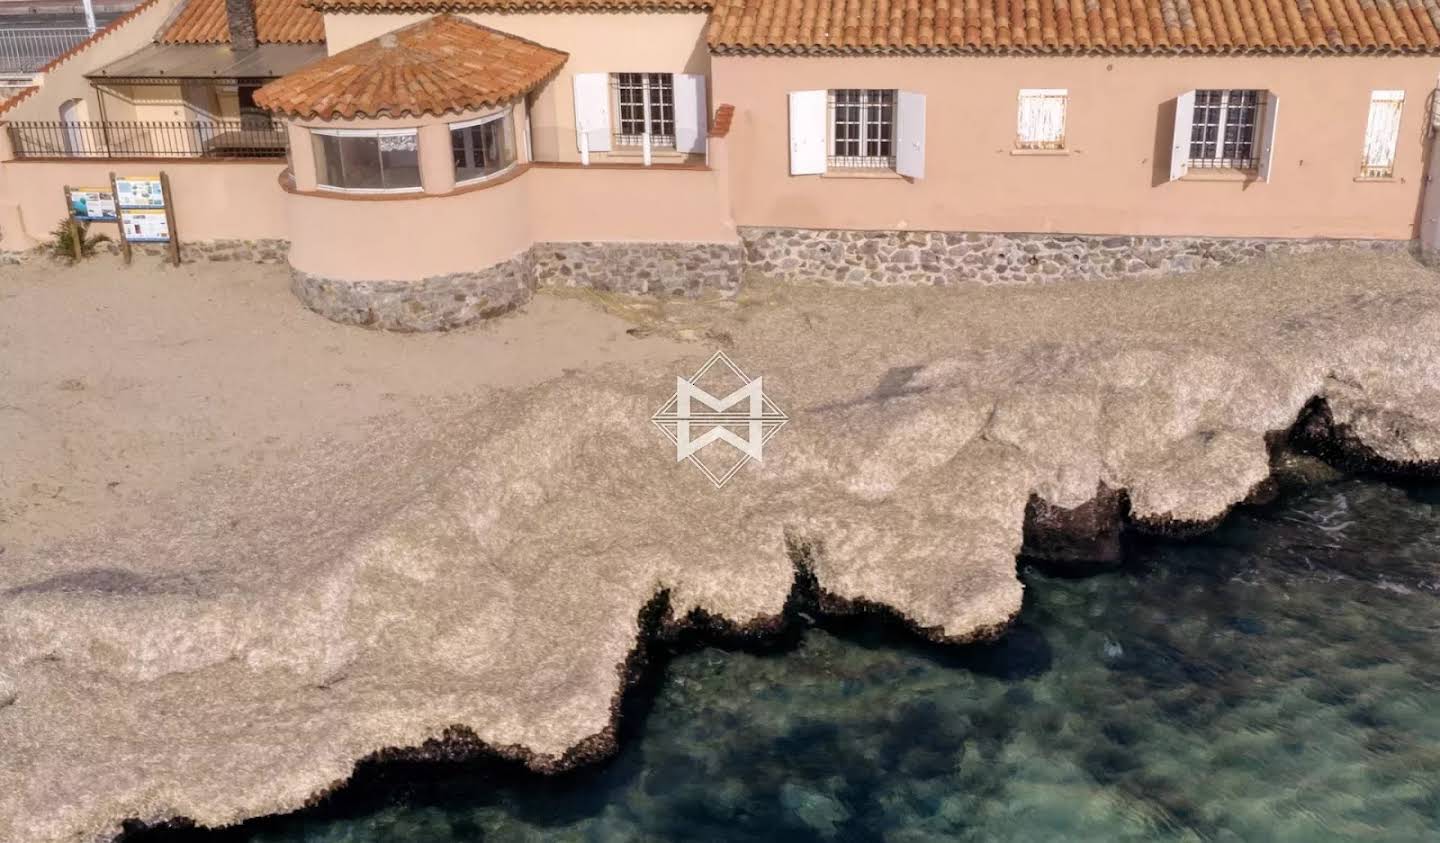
{"x": 1078, "y": 541}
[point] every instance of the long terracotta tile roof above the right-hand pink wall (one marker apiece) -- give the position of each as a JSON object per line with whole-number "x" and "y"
{"x": 1078, "y": 27}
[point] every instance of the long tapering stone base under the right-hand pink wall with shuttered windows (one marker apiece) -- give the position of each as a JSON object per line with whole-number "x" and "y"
{"x": 866, "y": 259}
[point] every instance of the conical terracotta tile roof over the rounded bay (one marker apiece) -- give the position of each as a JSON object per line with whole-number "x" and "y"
{"x": 434, "y": 67}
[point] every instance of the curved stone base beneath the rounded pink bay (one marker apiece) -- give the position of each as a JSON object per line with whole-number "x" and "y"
{"x": 433, "y": 305}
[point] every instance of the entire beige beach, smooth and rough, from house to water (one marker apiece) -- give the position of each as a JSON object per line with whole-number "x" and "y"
{"x": 246, "y": 548}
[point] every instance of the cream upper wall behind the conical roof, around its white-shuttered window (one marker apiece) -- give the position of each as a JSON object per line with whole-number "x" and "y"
{"x": 660, "y": 43}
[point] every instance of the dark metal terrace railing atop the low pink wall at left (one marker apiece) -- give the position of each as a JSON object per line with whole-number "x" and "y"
{"x": 250, "y": 138}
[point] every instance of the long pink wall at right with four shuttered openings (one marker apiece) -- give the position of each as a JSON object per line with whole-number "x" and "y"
{"x": 1115, "y": 177}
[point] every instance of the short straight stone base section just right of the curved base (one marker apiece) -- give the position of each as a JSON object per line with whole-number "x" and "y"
{"x": 642, "y": 269}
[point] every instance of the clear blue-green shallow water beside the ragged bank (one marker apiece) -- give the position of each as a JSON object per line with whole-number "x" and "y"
{"x": 1275, "y": 681}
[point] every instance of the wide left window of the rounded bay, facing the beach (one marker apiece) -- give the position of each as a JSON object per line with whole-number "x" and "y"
{"x": 368, "y": 161}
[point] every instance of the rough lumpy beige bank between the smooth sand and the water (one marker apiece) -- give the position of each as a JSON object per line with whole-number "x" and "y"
{"x": 240, "y": 651}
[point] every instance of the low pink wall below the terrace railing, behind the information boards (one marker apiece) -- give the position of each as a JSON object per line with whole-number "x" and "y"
{"x": 212, "y": 200}
